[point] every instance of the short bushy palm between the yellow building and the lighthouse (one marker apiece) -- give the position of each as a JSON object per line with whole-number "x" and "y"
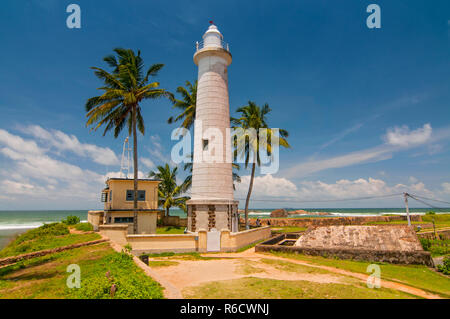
{"x": 168, "y": 191}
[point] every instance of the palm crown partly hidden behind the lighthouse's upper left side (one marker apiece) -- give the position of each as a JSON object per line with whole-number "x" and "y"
{"x": 186, "y": 105}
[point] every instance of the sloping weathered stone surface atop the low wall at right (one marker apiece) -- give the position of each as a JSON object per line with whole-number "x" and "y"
{"x": 379, "y": 237}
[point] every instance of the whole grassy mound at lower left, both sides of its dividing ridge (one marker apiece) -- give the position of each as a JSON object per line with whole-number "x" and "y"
{"x": 46, "y": 277}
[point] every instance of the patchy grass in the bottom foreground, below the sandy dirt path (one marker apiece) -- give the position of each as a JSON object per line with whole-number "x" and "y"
{"x": 258, "y": 288}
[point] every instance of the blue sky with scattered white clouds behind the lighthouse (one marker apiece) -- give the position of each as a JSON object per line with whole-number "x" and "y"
{"x": 367, "y": 109}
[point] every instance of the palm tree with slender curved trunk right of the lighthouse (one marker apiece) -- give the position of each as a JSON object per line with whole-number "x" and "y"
{"x": 253, "y": 116}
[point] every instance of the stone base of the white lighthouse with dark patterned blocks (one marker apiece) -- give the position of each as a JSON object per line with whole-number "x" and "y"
{"x": 210, "y": 214}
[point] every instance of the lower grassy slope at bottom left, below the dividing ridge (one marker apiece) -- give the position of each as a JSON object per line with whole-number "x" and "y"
{"x": 46, "y": 277}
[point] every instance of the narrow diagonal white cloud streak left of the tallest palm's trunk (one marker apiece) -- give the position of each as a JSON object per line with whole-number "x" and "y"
{"x": 63, "y": 142}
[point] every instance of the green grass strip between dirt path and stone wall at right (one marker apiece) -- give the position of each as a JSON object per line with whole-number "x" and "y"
{"x": 414, "y": 275}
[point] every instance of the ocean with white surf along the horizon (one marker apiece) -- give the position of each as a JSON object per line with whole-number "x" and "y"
{"x": 13, "y": 223}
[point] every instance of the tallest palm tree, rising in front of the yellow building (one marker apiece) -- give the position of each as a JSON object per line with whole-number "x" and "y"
{"x": 123, "y": 90}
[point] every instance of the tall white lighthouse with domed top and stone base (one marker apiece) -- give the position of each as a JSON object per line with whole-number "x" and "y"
{"x": 212, "y": 206}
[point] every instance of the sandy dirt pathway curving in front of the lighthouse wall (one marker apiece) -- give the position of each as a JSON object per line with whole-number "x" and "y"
{"x": 227, "y": 266}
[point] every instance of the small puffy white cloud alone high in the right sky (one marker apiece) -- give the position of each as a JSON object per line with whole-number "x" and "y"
{"x": 404, "y": 137}
